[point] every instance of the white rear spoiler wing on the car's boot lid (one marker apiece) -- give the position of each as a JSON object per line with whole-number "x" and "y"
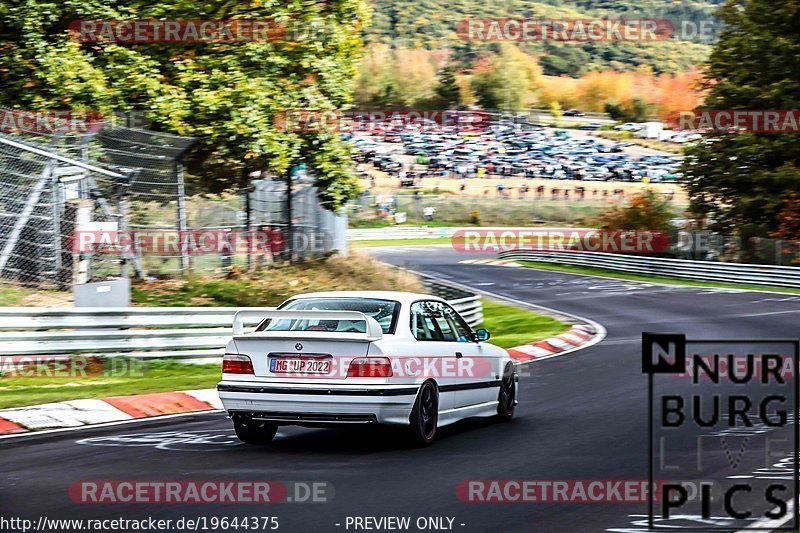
{"x": 373, "y": 332}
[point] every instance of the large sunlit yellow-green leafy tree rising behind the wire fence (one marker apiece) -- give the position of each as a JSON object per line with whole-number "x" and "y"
{"x": 225, "y": 93}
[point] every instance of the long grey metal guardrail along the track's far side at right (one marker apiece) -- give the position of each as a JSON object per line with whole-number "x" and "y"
{"x": 767, "y": 275}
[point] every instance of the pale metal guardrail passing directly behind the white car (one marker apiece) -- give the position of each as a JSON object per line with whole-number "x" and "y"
{"x": 185, "y": 333}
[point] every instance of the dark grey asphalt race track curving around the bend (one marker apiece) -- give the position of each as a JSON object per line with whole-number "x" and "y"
{"x": 583, "y": 416}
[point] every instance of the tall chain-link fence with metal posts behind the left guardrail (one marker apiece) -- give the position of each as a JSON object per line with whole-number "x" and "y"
{"x": 112, "y": 203}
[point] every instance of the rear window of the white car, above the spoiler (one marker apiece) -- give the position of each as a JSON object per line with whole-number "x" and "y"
{"x": 383, "y": 311}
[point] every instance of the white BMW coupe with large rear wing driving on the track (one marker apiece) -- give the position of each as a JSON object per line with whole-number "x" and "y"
{"x": 374, "y": 357}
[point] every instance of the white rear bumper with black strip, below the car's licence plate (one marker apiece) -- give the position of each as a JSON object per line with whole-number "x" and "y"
{"x": 319, "y": 404}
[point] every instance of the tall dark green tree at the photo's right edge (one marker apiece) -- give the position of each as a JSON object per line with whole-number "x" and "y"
{"x": 740, "y": 181}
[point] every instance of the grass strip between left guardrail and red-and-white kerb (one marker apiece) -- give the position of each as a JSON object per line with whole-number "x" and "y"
{"x": 150, "y": 376}
